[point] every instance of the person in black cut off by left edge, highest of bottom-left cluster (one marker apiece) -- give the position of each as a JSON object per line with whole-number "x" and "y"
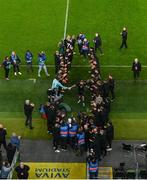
{"x": 3, "y": 134}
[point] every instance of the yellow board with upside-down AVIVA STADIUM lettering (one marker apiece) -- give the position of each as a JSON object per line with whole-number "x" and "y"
{"x": 57, "y": 170}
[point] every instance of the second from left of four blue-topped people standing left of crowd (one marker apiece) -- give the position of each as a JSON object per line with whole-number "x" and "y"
{"x": 15, "y": 61}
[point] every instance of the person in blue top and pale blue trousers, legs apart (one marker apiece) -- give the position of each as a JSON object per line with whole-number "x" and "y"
{"x": 42, "y": 59}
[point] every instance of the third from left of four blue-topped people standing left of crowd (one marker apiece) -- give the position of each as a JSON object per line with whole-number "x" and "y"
{"x": 29, "y": 58}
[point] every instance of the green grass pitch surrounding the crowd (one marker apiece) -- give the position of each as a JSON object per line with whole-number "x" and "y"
{"x": 38, "y": 25}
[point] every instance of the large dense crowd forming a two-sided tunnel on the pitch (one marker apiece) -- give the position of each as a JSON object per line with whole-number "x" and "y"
{"x": 84, "y": 132}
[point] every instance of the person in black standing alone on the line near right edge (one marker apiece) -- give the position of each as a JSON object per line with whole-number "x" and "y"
{"x": 136, "y": 68}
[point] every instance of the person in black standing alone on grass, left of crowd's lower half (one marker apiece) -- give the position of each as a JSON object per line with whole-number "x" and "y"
{"x": 28, "y": 109}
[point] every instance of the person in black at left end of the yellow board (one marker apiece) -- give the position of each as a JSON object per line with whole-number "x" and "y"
{"x": 22, "y": 171}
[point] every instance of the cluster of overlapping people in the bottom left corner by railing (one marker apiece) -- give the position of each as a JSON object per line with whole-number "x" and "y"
{"x": 10, "y": 149}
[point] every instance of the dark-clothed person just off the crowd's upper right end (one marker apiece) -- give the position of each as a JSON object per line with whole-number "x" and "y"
{"x": 98, "y": 43}
